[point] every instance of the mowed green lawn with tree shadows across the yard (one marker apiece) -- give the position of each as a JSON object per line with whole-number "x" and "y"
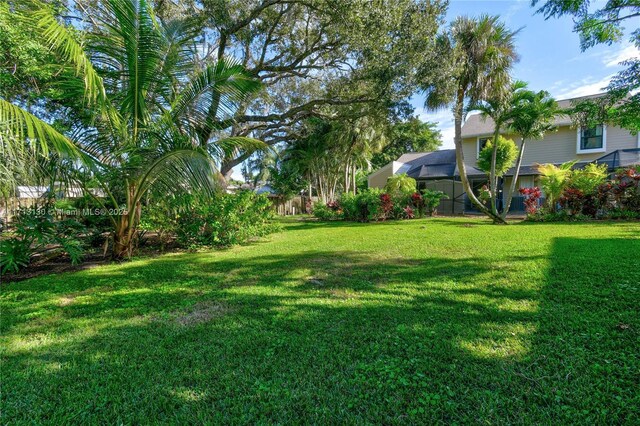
{"x": 425, "y": 321}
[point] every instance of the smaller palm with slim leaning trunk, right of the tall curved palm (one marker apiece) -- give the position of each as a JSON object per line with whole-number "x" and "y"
{"x": 532, "y": 115}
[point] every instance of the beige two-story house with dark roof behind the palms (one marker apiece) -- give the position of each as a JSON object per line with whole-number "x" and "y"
{"x": 612, "y": 145}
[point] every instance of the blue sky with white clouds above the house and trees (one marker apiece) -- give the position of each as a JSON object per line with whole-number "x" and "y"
{"x": 550, "y": 56}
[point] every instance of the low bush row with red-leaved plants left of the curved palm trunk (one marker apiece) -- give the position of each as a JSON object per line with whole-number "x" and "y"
{"x": 374, "y": 205}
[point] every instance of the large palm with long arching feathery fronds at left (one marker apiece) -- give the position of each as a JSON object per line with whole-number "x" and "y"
{"x": 151, "y": 102}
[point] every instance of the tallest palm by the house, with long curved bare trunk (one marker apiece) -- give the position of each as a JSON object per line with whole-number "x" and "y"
{"x": 479, "y": 53}
